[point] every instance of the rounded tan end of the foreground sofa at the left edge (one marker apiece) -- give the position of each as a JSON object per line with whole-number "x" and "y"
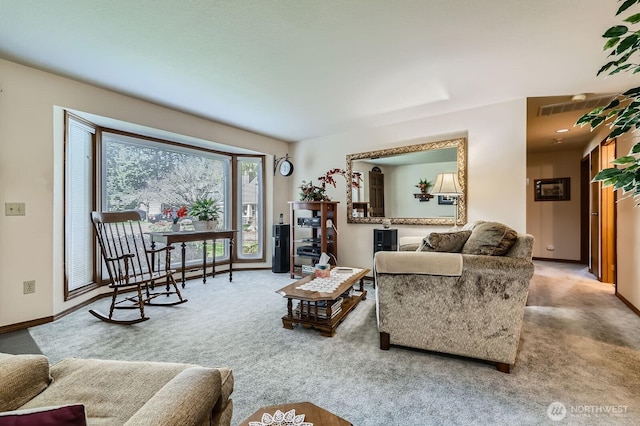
{"x": 22, "y": 378}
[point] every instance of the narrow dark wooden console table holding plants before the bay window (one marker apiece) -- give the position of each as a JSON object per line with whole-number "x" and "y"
{"x": 183, "y": 237}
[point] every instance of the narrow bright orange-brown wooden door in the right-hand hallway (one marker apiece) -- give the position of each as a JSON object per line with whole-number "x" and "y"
{"x": 607, "y": 219}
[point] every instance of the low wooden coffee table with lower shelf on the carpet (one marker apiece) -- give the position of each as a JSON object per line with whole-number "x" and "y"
{"x": 322, "y": 310}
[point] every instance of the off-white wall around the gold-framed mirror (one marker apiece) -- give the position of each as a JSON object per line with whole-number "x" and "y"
{"x": 496, "y": 138}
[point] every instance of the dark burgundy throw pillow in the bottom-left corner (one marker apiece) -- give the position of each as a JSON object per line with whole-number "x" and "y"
{"x": 65, "y": 415}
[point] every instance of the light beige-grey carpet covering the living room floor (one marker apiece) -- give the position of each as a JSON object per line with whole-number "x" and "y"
{"x": 579, "y": 351}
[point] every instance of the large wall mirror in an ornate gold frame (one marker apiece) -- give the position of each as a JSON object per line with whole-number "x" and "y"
{"x": 389, "y": 184}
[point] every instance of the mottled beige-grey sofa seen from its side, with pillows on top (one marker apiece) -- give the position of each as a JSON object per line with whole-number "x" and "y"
{"x": 462, "y": 292}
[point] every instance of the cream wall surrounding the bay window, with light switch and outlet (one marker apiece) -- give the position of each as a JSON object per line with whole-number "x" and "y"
{"x": 31, "y": 154}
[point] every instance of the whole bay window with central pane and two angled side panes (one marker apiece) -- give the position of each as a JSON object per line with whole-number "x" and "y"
{"x": 158, "y": 178}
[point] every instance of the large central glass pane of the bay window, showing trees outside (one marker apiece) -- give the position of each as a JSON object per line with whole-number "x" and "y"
{"x": 159, "y": 179}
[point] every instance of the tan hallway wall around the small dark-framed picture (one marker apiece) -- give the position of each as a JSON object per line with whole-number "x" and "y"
{"x": 555, "y": 223}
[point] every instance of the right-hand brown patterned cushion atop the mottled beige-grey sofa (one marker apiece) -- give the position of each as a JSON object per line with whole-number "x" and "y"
{"x": 490, "y": 239}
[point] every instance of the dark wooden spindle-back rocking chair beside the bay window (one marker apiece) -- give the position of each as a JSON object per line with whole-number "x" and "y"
{"x": 126, "y": 256}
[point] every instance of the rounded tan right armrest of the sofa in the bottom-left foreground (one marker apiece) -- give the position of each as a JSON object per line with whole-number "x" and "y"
{"x": 187, "y": 399}
